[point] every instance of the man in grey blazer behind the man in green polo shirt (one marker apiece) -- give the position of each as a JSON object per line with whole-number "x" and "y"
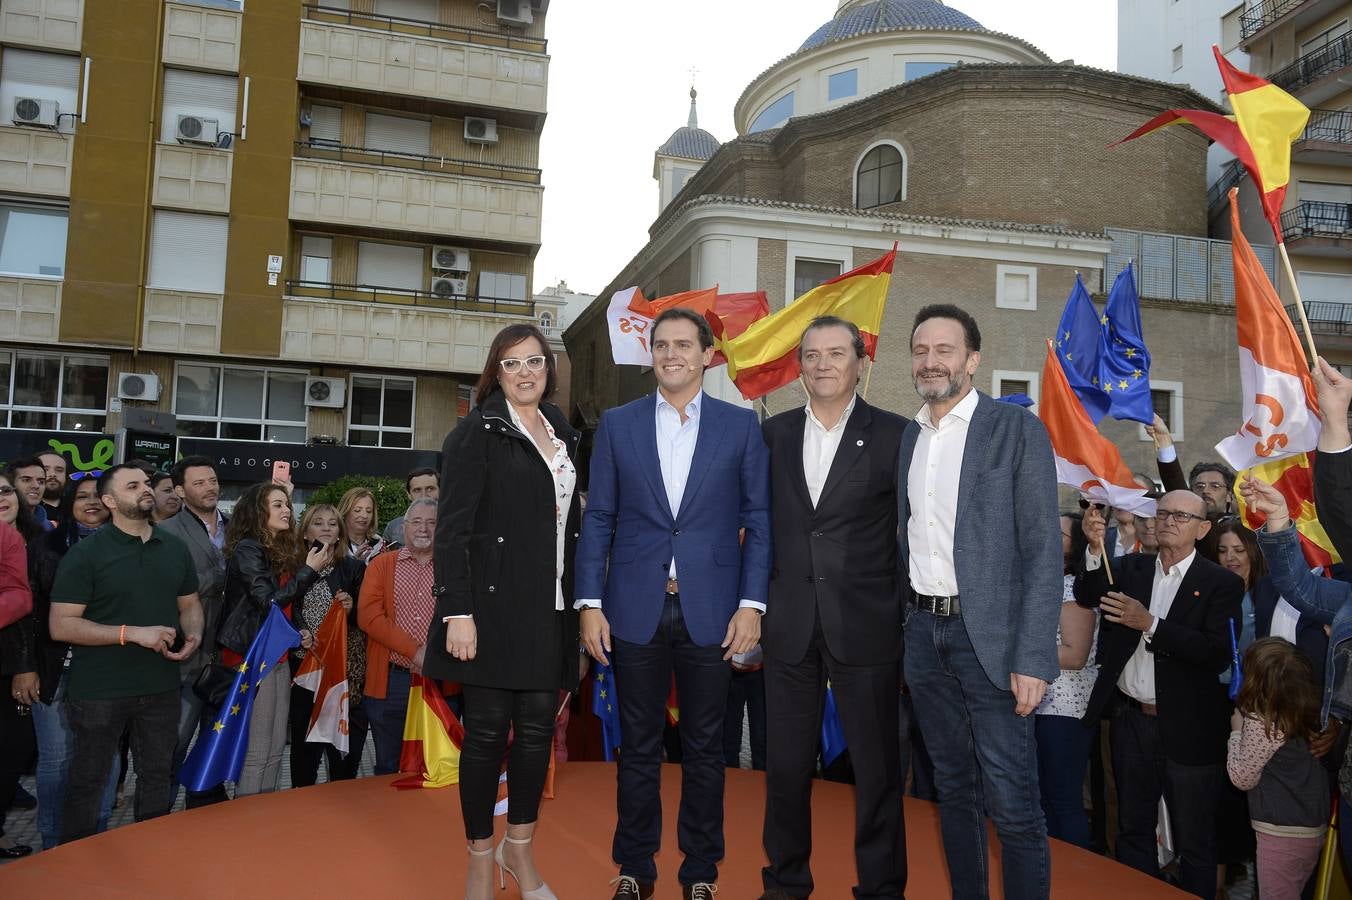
{"x": 202, "y": 526}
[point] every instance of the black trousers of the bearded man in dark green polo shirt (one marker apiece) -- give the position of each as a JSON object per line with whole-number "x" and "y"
{"x": 98, "y": 728}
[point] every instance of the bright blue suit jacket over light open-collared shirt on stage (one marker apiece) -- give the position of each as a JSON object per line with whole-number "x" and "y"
{"x": 631, "y": 536}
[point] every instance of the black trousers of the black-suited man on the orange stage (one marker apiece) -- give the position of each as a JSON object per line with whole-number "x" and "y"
{"x": 869, "y": 701}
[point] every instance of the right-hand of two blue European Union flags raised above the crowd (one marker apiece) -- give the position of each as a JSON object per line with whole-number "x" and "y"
{"x": 1124, "y": 368}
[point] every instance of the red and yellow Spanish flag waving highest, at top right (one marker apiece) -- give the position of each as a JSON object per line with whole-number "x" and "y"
{"x": 1265, "y": 122}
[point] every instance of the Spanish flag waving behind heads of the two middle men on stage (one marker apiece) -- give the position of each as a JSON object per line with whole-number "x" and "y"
{"x": 766, "y": 356}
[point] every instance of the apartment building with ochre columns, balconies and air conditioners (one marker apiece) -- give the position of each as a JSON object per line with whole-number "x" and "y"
{"x": 264, "y": 222}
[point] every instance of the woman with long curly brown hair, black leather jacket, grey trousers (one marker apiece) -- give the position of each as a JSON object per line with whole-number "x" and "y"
{"x": 262, "y": 568}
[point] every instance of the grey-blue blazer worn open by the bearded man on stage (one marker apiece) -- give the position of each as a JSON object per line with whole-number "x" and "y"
{"x": 1008, "y": 541}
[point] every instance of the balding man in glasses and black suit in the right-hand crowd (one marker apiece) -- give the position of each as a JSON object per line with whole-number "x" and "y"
{"x": 1166, "y": 637}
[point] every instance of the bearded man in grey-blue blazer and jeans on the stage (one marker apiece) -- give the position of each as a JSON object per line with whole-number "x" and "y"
{"x": 981, "y": 539}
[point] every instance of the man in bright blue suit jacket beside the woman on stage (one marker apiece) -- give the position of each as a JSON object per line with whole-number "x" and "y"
{"x": 671, "y": 575}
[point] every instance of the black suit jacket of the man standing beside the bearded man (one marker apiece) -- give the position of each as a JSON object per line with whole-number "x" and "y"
{"x": 839, "y": 560}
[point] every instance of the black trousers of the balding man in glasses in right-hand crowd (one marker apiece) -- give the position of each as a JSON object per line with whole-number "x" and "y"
{"x": 1192, "y": 794}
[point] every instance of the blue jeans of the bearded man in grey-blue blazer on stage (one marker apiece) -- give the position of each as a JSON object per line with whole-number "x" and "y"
{"x": 981, "y": 752}
